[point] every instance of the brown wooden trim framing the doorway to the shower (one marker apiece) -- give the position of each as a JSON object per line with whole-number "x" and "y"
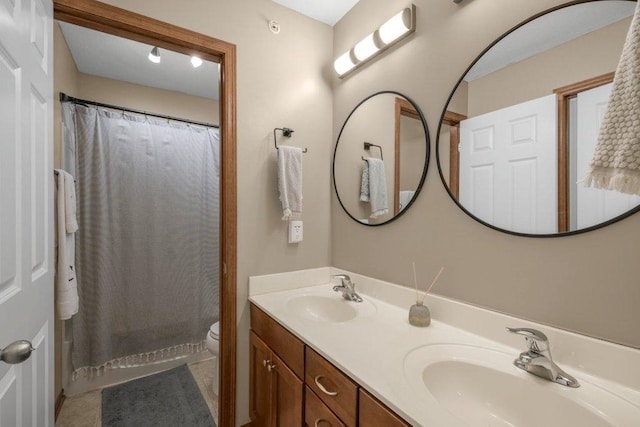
{"x": 120, "y": 22}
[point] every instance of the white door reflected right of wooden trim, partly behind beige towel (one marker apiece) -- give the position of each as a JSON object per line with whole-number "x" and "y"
{"x": 594, "y": 205}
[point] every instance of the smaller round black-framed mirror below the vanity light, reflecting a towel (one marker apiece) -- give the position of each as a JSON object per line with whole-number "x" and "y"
{"x": 381, "y": 158}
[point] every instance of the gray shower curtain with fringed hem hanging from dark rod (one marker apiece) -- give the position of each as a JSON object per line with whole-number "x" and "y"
{"x": 147, "y": 249}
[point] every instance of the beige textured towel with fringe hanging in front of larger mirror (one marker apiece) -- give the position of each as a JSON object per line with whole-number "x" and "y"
{"x": 616, "y": 162}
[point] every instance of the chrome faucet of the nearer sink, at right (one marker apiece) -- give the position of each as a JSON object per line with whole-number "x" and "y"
{"x": 537, "y": 360}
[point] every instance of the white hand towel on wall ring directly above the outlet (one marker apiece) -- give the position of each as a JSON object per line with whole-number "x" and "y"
{"x": 290, "y": 181}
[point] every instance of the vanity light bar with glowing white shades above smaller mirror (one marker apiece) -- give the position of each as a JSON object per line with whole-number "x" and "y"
{"x": 395, "y": 29}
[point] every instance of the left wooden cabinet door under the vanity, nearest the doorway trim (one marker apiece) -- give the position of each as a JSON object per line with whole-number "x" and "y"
{"x": 260, "y": 382}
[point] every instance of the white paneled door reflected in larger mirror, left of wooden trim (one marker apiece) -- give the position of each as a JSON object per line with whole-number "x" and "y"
{"x": 508, "y": 166}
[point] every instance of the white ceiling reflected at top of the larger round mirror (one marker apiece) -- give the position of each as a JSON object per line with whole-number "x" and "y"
{"x": 549, "y": 31}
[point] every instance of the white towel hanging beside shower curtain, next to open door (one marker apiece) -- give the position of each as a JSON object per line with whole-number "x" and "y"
{"x": 66, "y": 279}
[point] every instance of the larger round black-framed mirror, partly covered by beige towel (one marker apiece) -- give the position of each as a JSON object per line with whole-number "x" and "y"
{"x": 520, "y": 128}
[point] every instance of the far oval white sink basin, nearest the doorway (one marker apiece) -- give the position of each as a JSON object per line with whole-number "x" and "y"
{"x": 332, "y": 309}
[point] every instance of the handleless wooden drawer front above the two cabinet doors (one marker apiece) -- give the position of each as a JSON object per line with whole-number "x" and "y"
{"x": 283, "y": 343}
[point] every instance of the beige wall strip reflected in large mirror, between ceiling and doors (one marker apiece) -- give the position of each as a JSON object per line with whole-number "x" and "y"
{"x": 591, "y": 55}
